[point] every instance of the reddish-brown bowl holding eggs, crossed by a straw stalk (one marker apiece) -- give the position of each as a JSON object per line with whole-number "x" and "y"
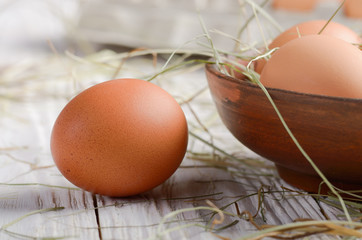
{"x": 328, "y": 128}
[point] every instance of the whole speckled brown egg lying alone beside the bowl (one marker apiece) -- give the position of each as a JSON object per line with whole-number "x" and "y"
{"x": 120, "y": 138}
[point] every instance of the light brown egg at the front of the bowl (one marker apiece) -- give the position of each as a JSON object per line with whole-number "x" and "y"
{"x": 316, "y": 64}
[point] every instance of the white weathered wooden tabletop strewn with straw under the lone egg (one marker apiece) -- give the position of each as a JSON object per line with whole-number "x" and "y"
{"x": 37, "y": 202}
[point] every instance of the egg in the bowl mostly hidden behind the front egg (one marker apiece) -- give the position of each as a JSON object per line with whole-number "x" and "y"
{"x": 309, "y": 28}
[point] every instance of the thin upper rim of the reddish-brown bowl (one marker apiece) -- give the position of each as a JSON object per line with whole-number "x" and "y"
{"x": 211, "y": 67}
